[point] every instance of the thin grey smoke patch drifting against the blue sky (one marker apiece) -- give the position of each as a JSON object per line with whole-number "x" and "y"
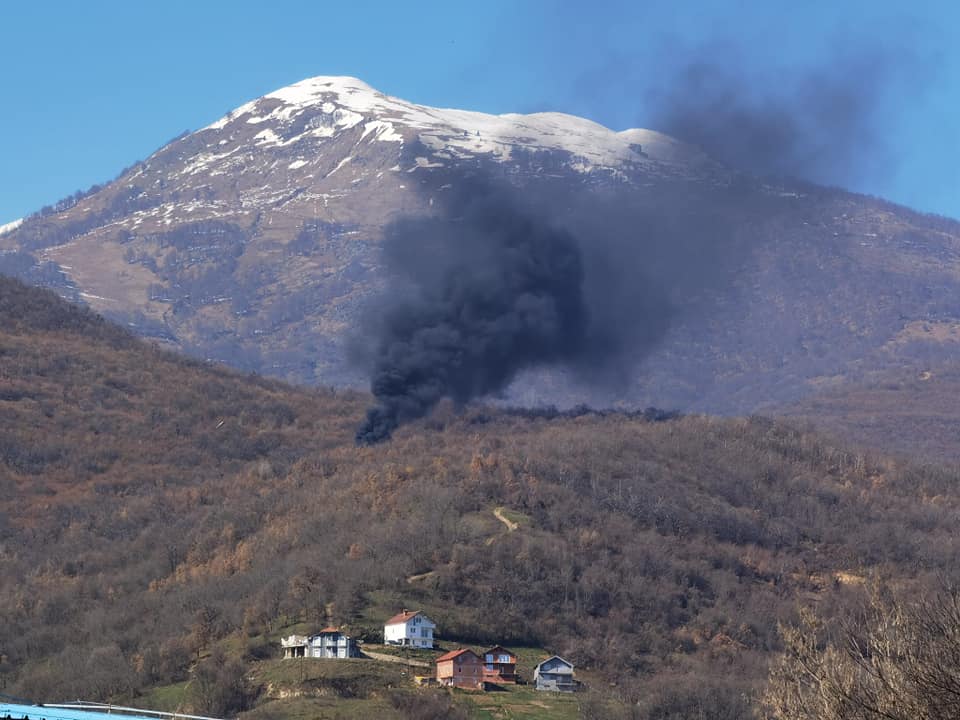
{"x": 821, "y": 122}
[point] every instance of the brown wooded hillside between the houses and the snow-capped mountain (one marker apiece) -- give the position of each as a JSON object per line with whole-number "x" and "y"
{"x": 152, "y": 508}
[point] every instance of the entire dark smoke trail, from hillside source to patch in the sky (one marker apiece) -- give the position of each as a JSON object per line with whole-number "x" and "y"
{"x": 502, "y": 278}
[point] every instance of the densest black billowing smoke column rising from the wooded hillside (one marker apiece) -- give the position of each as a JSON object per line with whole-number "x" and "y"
{"x": 480, "y": 292}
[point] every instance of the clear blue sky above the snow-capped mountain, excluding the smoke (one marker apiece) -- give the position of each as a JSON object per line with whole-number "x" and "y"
{"x": 88, "y": 88}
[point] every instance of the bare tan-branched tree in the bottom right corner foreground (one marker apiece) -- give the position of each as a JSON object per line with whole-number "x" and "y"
{"x": 896, "y": 660}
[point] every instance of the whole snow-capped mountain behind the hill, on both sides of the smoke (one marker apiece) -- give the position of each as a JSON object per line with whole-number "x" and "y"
{"x": 257, "y": 241}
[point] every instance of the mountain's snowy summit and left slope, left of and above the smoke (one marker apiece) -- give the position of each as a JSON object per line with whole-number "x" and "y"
{"x": 277, "y": 209}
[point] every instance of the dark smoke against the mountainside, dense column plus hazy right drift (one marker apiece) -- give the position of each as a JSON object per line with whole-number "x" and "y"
{"x": 500, "y": 279}
